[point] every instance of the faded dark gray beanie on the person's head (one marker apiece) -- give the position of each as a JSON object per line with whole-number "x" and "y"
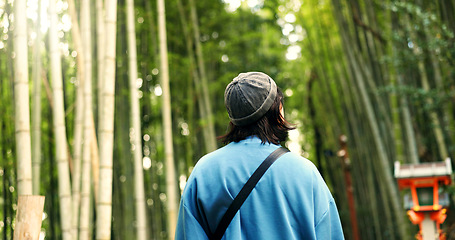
{"x": 249, "y": 96}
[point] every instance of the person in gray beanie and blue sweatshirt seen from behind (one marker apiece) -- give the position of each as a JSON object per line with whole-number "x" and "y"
{"x": 290, "y": 200}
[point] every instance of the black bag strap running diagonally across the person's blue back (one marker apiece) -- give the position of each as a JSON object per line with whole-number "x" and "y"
{"x": 246, "y": 190}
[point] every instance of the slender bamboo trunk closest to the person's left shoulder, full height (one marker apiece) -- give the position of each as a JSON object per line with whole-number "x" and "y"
{"x": 171, "y": 183}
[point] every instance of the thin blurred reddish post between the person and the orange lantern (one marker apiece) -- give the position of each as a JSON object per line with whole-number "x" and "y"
{"x": 346, "y": 164}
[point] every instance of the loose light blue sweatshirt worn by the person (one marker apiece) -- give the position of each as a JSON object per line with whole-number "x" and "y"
{"x": 291, "y": 201}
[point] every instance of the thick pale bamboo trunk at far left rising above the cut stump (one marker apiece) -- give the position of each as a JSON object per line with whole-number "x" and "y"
{"x": 21, "y": 99}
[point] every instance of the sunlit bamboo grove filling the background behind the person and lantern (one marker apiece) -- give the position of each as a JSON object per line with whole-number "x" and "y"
{"x": 107, "y": 105}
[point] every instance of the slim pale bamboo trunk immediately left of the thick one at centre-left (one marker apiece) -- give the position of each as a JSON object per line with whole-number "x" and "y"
{"x": 84, "y": 221}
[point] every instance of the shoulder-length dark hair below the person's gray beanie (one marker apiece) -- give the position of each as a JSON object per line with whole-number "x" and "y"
{"x": 271, "y": 128}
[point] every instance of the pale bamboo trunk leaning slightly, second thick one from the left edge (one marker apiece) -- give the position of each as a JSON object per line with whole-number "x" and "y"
{"x": 64, "y": 185}
